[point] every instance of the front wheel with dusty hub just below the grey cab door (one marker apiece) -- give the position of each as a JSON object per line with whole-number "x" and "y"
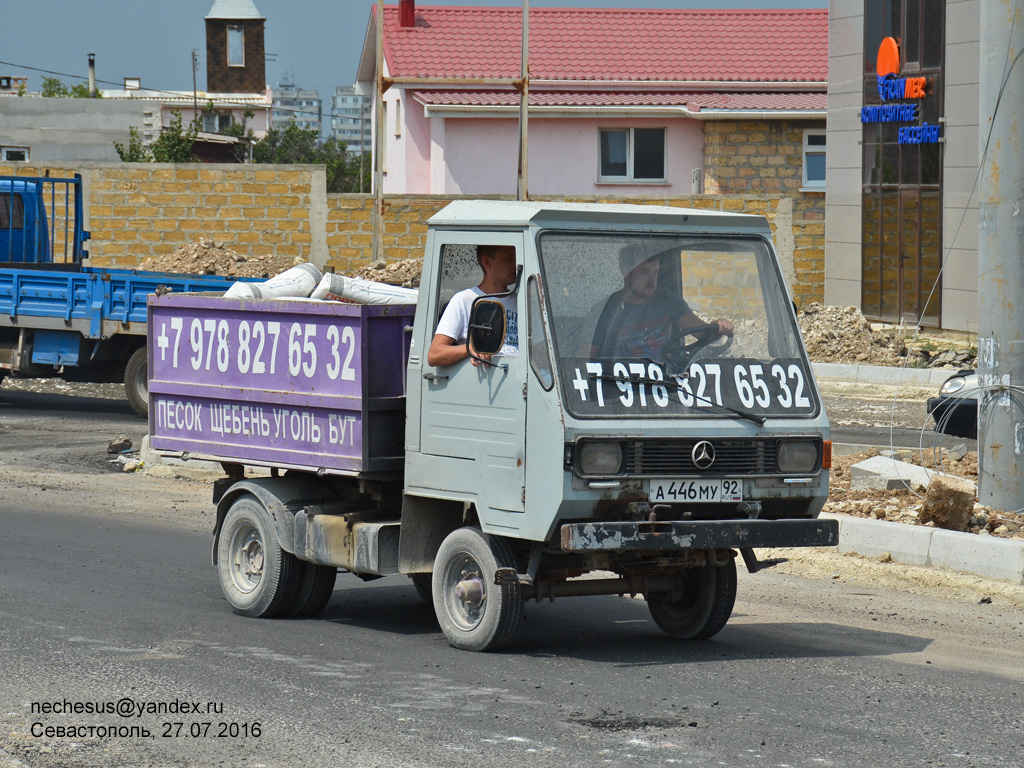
{"x": 489, "y": 617}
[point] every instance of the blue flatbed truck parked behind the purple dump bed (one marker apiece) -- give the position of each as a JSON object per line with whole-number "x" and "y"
{"x": 60, "y": 318}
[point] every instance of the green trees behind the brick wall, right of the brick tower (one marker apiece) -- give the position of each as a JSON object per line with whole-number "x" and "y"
{"x": 304, "y": 146}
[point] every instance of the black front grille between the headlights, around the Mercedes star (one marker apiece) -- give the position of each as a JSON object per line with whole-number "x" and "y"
{"x": 674, "y": 458}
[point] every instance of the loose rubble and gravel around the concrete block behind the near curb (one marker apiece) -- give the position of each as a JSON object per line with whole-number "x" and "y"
{"x": 907, "y": 506}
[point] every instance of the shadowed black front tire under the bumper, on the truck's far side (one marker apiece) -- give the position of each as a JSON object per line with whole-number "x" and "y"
{"x": 710, "y": 593}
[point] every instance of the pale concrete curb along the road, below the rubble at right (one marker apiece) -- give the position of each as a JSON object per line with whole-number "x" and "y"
{"x": 935, "y": 548}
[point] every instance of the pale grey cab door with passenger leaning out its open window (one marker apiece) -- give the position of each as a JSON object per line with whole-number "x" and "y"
{"x": 473, "y": 418}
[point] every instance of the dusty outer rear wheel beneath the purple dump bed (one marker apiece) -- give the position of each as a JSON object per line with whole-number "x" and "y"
{"x": 258, "y": 577}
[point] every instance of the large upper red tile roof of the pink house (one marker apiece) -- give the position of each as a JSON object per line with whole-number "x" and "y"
{"x": 589, "y": 45}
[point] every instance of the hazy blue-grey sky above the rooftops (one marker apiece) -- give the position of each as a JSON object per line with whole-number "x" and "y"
{"x": 314, "y": 44}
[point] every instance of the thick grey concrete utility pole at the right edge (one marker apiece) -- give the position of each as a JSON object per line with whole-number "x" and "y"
{"x": 1001, "y": 269}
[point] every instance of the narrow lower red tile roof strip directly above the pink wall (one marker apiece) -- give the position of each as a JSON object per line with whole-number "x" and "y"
{"x": 692, "y": 102}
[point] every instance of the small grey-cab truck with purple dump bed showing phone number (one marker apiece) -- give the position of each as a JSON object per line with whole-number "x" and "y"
{"x": 559, "y": 472}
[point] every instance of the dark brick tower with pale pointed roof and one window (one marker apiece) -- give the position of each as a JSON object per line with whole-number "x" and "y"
{"x": 235, "y": 54}
